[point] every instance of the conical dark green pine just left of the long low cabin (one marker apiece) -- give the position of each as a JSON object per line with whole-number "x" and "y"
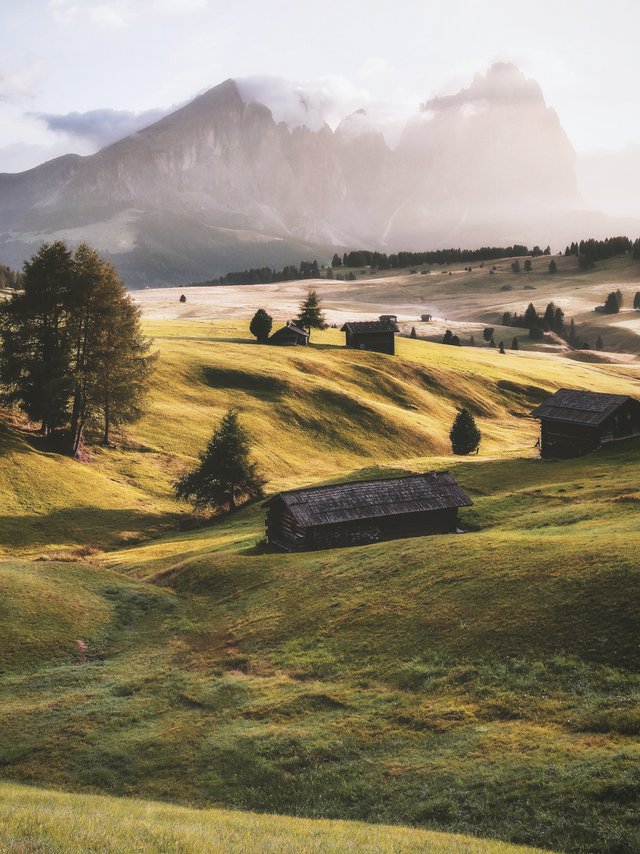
{"x": 225, "y": 476}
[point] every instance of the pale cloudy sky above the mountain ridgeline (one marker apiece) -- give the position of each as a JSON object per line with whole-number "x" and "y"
{"x": 77, "y": 74}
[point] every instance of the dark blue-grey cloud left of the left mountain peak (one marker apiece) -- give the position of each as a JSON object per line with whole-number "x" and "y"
{"x": 101, "y": 127}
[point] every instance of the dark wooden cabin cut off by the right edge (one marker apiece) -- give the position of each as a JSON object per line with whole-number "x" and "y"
{"x": 574, "y": 423}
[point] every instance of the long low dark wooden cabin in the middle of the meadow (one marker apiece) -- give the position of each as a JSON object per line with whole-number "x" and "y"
{"x": 362, "y": 512}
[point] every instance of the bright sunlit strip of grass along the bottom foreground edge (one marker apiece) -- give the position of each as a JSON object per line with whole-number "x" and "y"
{"x": 57, "y": 823}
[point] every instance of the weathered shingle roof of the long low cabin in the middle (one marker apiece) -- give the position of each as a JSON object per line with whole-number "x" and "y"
{"x": 371, "y": 499}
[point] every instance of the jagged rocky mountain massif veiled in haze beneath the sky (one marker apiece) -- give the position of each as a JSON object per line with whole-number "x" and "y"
{"x": 259, "y": 172}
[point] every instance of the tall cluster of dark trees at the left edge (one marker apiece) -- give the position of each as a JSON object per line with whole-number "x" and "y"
{"x": 72, "y": 353}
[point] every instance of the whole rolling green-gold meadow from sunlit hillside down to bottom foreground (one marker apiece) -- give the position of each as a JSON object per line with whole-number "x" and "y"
{"x": 484, "y": 684}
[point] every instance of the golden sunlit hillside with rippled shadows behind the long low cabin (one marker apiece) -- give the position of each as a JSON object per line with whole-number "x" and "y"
{"x": 314, "y": 413}
